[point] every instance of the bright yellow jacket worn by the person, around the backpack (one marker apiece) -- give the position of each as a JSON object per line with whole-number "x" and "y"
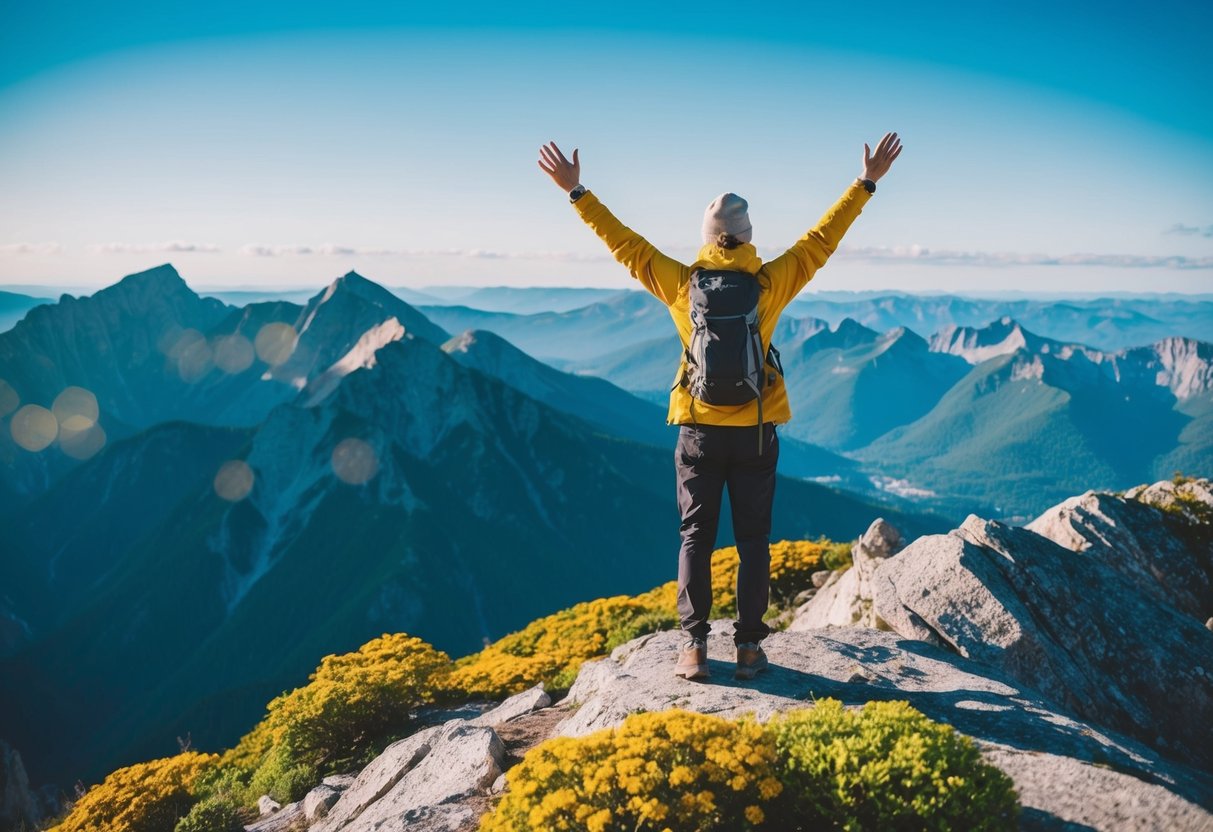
{"x": 781, "y": 281}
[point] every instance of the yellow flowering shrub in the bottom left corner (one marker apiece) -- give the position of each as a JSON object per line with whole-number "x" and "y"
{"x": 147, "y": 797}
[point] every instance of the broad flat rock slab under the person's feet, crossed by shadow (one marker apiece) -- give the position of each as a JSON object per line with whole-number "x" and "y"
{"x": 1066, "y": 771}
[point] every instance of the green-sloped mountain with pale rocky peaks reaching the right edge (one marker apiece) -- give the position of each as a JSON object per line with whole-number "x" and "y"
{"x": 1027, "y": 428}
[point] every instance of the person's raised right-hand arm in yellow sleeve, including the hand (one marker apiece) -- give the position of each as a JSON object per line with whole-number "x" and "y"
{"x": 791, "y": 271}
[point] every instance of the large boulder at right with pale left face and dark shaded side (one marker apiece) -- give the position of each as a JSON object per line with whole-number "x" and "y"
{"x": 1073, "y": 628}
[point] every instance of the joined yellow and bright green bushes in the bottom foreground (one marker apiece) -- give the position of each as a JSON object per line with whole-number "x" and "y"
{"x": 885, "y": 767}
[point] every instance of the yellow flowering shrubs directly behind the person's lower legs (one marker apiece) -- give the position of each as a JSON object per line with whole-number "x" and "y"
{"x": 554, "y": 648}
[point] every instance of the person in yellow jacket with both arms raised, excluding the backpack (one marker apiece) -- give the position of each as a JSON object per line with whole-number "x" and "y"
{"x": 714, "y": 452}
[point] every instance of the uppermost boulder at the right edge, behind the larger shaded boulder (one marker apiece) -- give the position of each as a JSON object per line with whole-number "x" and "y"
{"x": 1140, "y": 538}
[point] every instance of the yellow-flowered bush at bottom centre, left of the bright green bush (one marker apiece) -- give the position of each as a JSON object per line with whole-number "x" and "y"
{"x": 663, "y": 771}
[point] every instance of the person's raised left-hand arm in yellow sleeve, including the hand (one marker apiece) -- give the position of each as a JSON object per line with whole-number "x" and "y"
{"x": 658, "y": 273}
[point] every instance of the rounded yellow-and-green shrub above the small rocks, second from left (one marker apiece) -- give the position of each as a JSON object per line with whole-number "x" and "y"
{"x": 351, "y": 702}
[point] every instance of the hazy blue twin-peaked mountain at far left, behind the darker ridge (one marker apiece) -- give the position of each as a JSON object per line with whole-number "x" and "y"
{"x": 149, "y": 350}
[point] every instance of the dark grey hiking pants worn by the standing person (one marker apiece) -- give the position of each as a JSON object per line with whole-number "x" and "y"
{"x": 708, "y": 459}
